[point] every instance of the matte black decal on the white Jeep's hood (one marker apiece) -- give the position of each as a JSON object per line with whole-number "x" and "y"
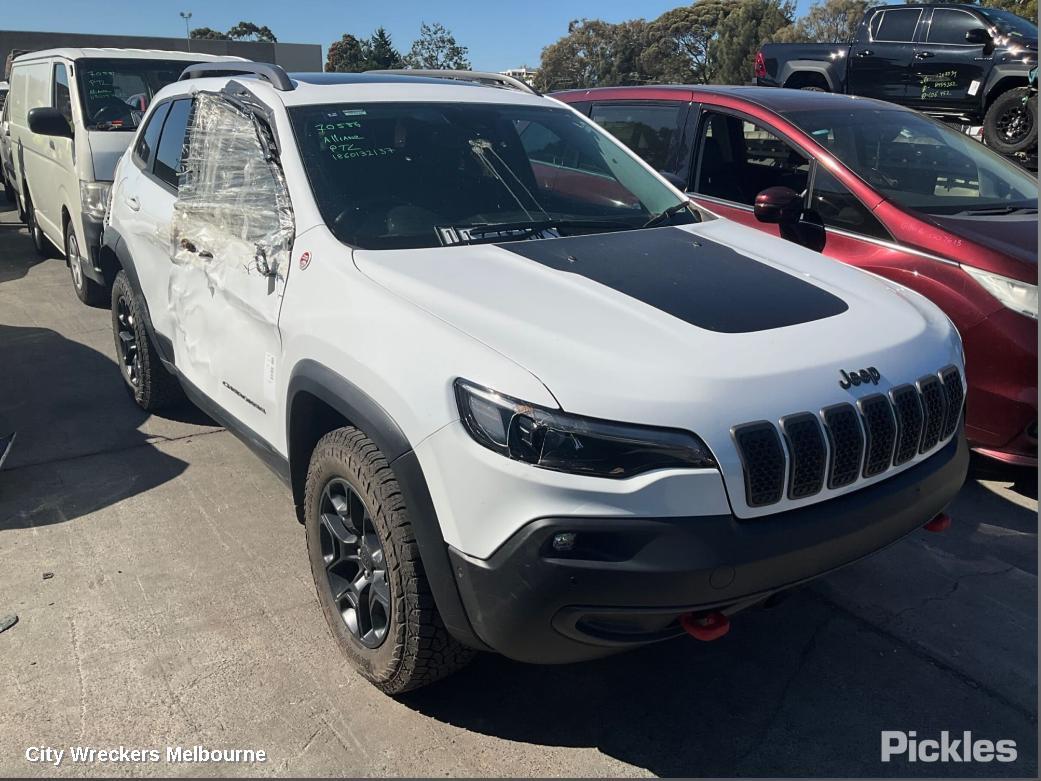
{"x": 705, "y": 284}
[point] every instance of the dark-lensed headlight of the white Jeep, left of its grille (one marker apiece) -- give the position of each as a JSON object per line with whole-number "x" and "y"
{"x": 567, "y": 443}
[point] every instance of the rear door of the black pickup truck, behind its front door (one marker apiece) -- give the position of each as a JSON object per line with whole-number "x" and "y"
{"x": 880, "y": 67}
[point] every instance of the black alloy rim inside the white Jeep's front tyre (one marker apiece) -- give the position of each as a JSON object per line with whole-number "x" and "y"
{"x": 356, "y": 566}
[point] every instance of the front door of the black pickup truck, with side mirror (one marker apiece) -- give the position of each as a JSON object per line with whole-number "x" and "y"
{"x": 949, "y": 71}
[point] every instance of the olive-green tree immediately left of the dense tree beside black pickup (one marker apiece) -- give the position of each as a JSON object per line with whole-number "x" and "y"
{"x": 678, "y": 42}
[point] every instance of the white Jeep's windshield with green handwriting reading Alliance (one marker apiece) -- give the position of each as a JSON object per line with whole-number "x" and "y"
{"x": 396, "y": 175}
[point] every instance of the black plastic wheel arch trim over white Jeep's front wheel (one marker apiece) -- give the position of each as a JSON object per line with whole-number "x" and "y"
{"x": 366, "y": 414}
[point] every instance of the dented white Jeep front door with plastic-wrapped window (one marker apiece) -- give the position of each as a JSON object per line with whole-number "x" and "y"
{"x": 232, "y": 237}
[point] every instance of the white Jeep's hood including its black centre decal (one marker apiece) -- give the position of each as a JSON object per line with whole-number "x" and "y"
{"x": 703, "y": 327}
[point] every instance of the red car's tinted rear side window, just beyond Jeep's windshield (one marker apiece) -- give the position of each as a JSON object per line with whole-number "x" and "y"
{"x": 652, "y": 130}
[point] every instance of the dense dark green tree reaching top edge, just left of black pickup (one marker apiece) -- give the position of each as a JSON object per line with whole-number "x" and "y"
{"x": 742, "y": 32}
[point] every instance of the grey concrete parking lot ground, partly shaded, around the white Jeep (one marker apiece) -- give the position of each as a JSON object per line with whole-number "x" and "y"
{"x": 164, "y": 598}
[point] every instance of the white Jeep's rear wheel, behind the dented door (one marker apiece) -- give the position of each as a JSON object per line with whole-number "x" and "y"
{"x": 148, "y": 382}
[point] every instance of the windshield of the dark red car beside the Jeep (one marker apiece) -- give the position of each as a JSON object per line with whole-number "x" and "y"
{"x": 919, "y": 163}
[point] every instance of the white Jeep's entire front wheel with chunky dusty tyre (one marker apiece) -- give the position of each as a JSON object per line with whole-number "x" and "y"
{"x": 368, "y": 571}
